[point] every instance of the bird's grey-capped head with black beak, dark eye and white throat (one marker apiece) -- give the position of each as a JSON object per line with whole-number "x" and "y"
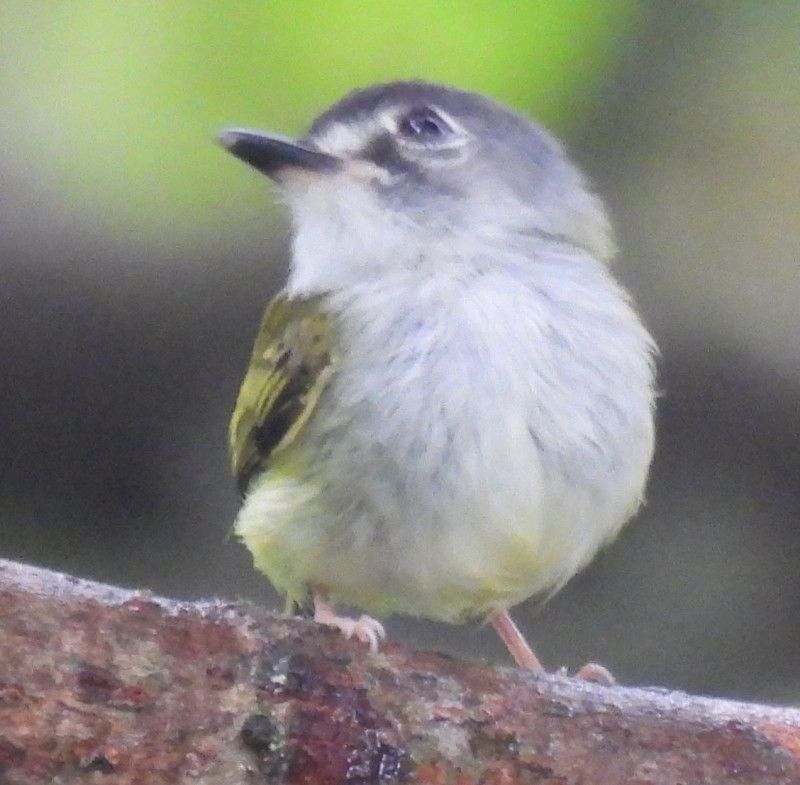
{"x": 394, "y": 172}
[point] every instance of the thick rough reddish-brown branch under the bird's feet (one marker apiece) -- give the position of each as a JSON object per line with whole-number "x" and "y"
{"x": 100, "y": 685}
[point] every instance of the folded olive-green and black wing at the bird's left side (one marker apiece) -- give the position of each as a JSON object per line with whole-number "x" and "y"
{"x": 291, "y": 364}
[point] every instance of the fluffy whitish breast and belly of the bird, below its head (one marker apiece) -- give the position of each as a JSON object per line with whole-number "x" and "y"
{"x": 490, "y": 428}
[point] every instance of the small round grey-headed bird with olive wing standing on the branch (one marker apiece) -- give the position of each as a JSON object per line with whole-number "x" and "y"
{"x": 449, "y": 407}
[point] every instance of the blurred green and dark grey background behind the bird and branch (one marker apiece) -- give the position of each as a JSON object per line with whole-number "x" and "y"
{"x": 136, "y": 258}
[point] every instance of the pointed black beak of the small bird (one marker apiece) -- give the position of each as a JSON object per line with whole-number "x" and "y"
{"x": 270, "y": 154}
